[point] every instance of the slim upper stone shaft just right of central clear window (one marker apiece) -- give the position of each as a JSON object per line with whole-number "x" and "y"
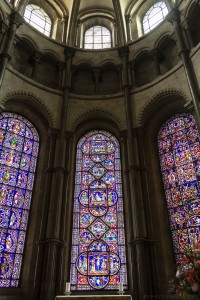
{"x": 119, "y": 22}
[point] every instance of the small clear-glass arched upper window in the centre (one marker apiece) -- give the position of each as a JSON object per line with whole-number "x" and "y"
{"x": 97, "y": 37}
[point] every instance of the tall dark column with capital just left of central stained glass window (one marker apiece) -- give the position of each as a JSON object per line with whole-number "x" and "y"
{"x": 56, "y": 200}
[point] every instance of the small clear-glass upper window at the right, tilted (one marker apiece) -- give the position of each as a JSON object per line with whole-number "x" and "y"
{"x": 154, "y": 16}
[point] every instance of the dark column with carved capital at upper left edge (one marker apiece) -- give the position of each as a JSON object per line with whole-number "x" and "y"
{"x": 15, "y": 21}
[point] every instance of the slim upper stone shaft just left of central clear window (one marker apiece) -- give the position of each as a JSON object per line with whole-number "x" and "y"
{"x": 73, "y": 23}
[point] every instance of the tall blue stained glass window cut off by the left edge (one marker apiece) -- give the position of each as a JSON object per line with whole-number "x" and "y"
{"x": 19, "y": 143}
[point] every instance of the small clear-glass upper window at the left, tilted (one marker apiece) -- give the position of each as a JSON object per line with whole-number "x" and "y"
{"x": 38, "y": 18}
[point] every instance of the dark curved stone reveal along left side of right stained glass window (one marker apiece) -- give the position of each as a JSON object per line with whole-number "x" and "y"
{"x": 156, "y": 114}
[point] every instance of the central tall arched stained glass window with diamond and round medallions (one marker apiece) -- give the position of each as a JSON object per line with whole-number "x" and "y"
{"x": 98, "y": 256}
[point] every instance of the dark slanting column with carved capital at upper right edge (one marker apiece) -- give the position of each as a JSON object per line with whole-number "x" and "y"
{"x": 174, "y": 18}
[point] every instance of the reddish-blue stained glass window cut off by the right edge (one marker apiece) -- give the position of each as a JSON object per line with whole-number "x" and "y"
{"x": 179, "y": 150}
